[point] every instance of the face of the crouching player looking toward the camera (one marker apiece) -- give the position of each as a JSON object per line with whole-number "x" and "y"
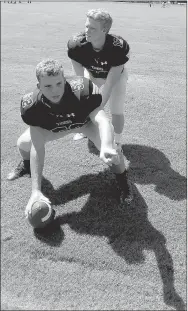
{"x": 52, "y": 87}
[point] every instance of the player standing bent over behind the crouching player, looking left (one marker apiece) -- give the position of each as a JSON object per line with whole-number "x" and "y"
{"x": 101, "y": 57}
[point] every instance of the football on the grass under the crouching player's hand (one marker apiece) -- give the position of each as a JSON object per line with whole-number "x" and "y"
{"x": 42, "y": 214}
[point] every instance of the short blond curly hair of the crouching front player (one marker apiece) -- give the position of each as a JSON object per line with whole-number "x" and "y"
{"x": 49, "y": 66}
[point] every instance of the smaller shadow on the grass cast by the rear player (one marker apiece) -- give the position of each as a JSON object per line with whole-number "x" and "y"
{"x": 148, "y": 165}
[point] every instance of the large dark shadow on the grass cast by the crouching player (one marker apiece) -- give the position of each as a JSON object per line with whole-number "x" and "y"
{"x": 129, "y": 231}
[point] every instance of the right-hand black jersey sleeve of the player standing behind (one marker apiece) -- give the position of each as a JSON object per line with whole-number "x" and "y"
{"x": 120, "y": 51}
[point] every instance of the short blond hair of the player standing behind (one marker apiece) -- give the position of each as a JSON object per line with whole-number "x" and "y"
{"x": 102, "y": 16}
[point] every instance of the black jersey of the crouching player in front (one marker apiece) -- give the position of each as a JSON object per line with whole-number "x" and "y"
{"x": 71, "y": 112}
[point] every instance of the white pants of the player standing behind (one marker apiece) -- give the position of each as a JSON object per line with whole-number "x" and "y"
{"x": 117, "y": 98}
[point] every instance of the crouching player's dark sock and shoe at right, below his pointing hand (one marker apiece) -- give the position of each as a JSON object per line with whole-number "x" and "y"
{"x": 126, "y": 195}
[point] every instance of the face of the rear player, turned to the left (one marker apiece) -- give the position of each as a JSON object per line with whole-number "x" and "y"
{"x": 93, "y": 30}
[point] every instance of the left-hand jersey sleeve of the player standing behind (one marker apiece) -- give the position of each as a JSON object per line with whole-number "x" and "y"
{"x": 75, "y": 51}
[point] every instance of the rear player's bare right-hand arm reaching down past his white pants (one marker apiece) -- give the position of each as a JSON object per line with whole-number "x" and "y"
{"x": 113, "y": 76}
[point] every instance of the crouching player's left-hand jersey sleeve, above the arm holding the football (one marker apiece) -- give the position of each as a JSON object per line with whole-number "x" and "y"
{"x": 28, "y": 109}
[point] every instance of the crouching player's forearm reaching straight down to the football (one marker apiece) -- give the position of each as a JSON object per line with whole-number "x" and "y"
{"x": 36, "y": 164}
